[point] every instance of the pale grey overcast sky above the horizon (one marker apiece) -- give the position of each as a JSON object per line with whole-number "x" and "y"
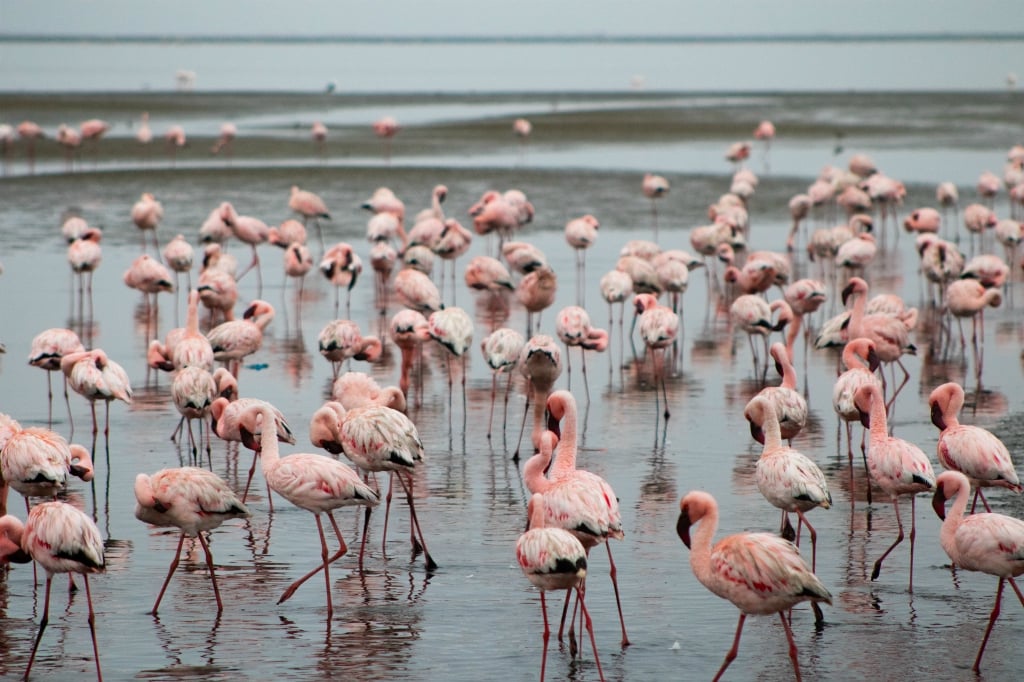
{"x": 517, "y": 18}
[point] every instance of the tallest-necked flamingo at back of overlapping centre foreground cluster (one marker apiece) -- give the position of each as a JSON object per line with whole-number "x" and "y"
{"x": 604, "y": 509}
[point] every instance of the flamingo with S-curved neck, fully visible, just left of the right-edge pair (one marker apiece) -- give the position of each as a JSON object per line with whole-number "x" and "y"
{"x": 898, "y": 466}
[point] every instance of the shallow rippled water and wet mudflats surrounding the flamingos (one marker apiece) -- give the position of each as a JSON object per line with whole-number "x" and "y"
{"x": 477, "y": 617}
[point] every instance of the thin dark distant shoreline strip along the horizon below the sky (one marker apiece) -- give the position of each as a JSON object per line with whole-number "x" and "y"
{"x": 514, "y": 39}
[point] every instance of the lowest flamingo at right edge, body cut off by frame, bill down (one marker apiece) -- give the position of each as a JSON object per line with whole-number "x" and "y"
{"x": 990, "y": 543}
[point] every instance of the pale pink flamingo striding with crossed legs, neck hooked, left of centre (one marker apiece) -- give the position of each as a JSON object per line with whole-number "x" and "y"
{"x": 319, "y": 485}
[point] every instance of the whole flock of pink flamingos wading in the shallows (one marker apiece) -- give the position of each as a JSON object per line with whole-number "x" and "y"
{"x": 568, "y": 508}
